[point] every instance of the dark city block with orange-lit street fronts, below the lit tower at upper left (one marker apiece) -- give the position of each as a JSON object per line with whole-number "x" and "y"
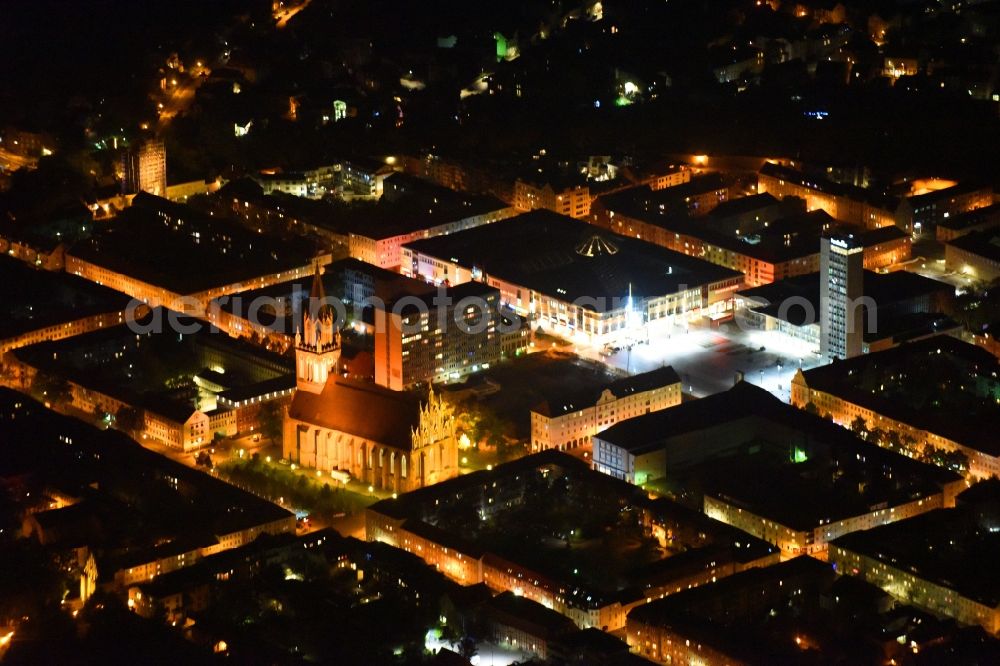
{"x": 169, "y": 254}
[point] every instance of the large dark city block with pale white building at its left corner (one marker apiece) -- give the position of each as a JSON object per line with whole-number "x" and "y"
{"x": 789, "y": 478}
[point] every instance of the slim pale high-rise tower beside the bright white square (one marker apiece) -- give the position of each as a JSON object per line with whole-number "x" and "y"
{"x": 841, "y": 290}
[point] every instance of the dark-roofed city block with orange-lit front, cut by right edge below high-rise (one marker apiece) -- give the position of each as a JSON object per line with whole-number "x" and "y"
{"x": 888, "y": 392}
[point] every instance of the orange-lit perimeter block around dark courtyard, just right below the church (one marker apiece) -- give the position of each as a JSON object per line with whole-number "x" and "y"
{"x": 464, "y": 562}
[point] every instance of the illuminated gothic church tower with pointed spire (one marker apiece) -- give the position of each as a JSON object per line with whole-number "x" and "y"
{"x": 317, "y": 342}
